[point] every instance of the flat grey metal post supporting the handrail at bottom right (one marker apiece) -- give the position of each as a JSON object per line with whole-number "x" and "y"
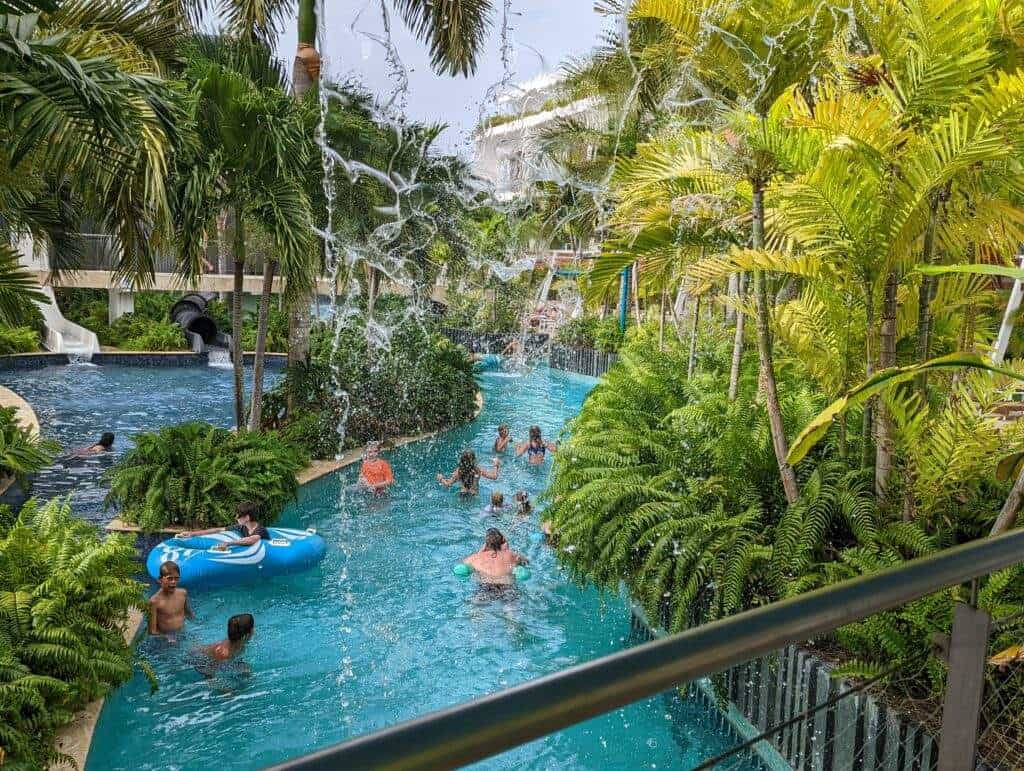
{"x": 965, "y": 687}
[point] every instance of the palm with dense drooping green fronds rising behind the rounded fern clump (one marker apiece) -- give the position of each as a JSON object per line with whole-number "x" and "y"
{"x": 248, "y": 137}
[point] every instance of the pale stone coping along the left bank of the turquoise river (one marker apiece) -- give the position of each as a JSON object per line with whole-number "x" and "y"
{"x": 77, "y": 736}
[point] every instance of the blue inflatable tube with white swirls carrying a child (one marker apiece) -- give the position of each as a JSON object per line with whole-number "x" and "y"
{"x": 288, "y": 551}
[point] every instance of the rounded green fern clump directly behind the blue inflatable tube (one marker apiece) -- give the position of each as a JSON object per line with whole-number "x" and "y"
{"x": 194, "y": 475}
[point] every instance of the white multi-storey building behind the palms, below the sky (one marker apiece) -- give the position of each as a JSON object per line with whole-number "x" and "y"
{"x": 508, "y": 152}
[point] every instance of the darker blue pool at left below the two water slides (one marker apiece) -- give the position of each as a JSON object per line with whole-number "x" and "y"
{"x": 76, "y": 403}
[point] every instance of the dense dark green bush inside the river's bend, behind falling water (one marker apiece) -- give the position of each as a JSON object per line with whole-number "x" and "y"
{"x": 418, "y": 382}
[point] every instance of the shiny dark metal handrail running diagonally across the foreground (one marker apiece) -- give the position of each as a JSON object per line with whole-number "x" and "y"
{"x": 492, "y": 724}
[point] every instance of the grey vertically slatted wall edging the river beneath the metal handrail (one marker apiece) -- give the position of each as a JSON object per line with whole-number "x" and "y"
{"x": 860, "y": 732}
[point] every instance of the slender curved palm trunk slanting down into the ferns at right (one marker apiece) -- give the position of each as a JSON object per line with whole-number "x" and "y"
{"x": 780, "y": 442}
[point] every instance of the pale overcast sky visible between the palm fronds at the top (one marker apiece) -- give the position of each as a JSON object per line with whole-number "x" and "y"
{"x": 545, "y": 33}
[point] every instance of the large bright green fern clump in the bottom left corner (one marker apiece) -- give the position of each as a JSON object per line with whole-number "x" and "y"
{"x": 65, "y": 596}
